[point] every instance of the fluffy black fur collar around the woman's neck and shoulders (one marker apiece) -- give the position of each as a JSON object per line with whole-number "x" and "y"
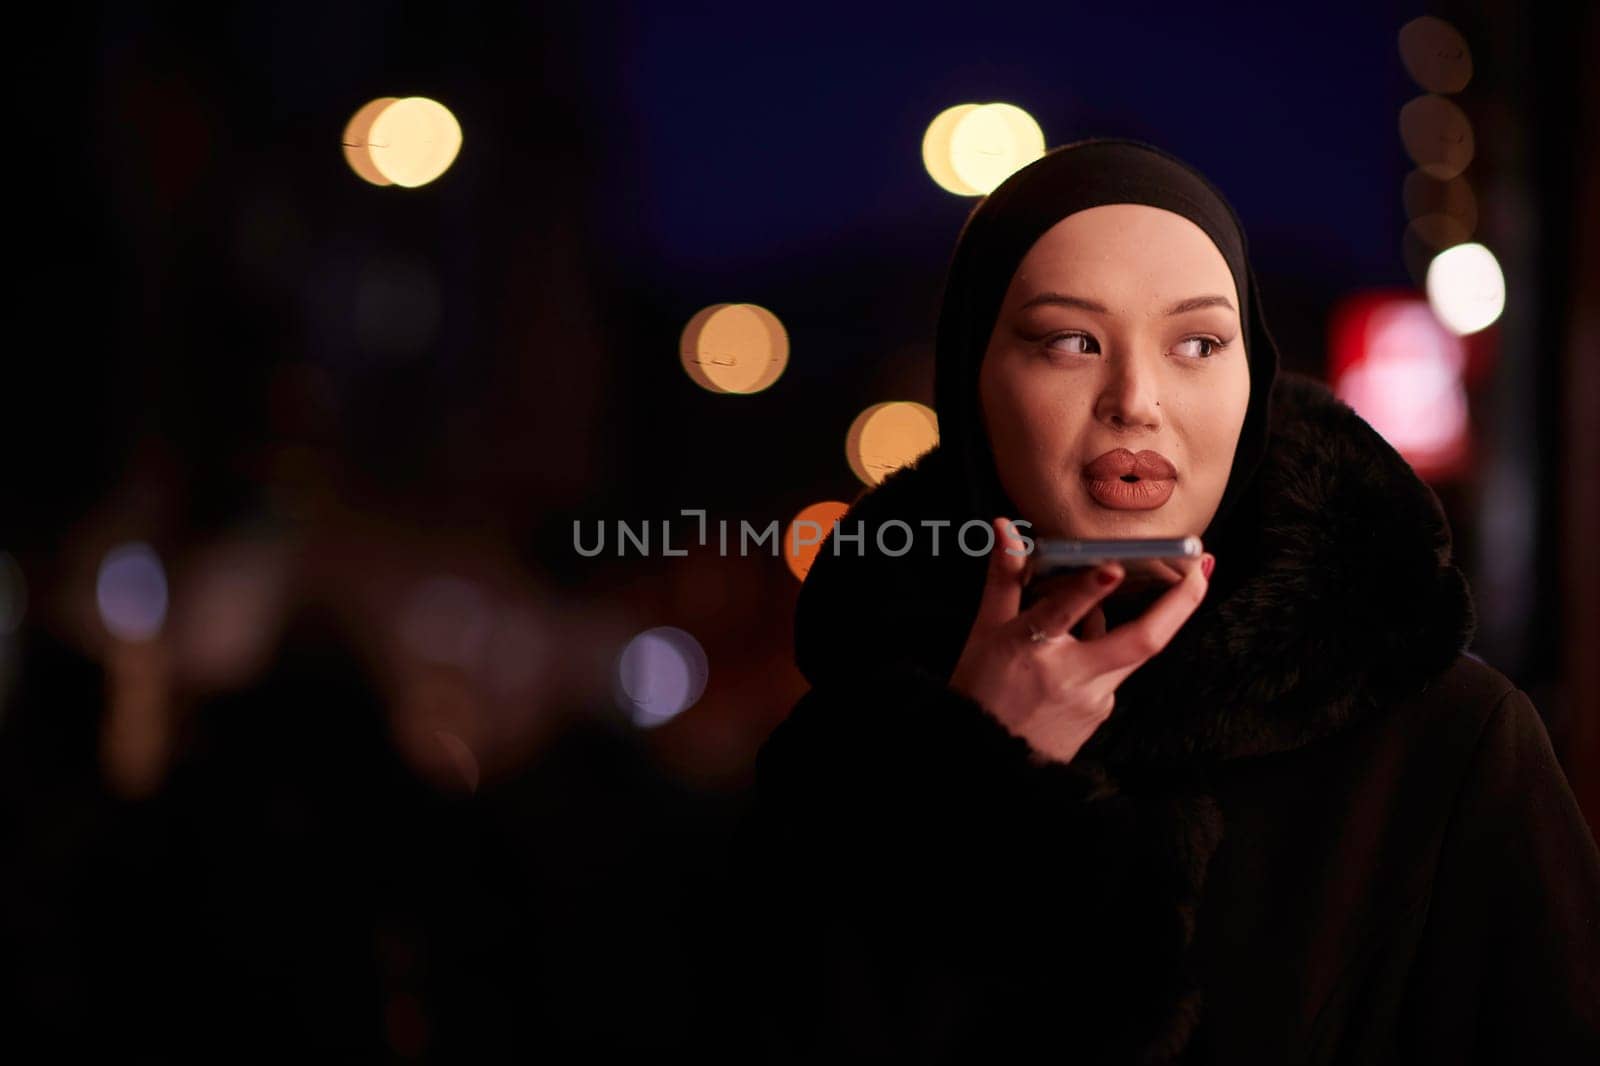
{"x": 1342, "y": 598}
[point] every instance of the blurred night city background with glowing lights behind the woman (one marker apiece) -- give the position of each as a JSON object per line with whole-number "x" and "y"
{"x": 321, "y": 729}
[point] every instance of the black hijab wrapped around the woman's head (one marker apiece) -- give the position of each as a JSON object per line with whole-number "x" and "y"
{"x": 1002, "y": 230}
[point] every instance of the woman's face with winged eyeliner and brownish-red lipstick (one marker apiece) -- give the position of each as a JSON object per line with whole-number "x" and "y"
{"x": 1110, "y": 340}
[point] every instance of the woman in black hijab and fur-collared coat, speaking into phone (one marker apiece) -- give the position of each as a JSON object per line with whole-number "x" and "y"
{"x": 1278, "y": 816}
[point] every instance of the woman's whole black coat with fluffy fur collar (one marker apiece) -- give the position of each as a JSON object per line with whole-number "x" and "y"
{"x": 1314, "y": 830}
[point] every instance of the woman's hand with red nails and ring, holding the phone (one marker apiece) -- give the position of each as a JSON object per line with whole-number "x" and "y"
{"x": 1058, "y": 691}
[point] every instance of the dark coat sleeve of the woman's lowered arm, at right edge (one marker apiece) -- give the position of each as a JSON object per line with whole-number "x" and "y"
{"x": 1510, "y": 963}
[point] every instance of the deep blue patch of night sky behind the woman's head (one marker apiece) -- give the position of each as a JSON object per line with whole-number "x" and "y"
{"x": 754, "y": 137}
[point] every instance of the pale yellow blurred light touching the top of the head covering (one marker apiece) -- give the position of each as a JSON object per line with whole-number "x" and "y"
{"x": 970, "y": 150}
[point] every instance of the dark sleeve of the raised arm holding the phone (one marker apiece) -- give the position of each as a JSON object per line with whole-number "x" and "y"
{"x": 926, "y": 888}
